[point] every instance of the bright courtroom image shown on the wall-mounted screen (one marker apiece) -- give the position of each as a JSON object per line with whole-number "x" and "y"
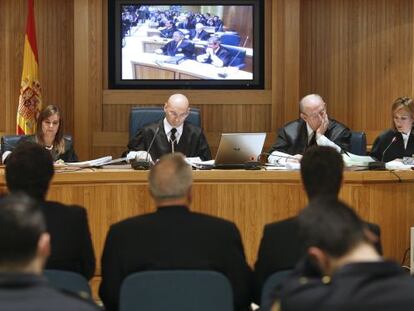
{"x": 187, "y": 42}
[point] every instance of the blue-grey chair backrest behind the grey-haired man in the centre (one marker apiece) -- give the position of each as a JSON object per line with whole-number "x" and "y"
{"x": 184, "y": 290}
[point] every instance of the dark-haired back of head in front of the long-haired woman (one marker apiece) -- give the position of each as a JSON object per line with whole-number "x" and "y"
{"x": 29, "y": 169}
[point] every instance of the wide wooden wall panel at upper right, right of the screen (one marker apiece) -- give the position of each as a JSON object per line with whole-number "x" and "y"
{"x": 358, "y": 56}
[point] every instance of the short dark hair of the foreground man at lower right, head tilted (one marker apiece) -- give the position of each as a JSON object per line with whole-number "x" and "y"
{"x": 330, "y": 225}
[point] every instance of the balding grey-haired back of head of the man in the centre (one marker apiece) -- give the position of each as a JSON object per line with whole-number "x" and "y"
{"x": 170, "y": 178}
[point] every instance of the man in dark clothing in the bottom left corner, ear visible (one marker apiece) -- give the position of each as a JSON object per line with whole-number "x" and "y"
{"x": 24, "y": 248}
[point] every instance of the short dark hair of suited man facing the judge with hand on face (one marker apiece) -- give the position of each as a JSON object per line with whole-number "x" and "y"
{"x": 321, "y": 169}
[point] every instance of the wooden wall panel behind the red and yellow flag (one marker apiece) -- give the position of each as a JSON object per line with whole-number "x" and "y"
{"x": 54, "y": 29}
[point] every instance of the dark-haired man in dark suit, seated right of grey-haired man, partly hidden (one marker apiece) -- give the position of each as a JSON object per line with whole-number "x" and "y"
{"x": 280, "y": 247}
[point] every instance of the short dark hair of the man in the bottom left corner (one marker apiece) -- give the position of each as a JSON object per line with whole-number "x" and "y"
{"x": 21, "y": 224}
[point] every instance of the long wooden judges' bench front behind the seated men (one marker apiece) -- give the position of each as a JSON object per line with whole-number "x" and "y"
{"x": 249, "y": 198}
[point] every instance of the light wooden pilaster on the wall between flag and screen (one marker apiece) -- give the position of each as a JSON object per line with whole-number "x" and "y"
{"x": 88, "y": 73}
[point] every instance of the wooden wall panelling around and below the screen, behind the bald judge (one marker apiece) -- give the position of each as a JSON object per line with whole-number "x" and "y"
{"x": 222, "y": 110}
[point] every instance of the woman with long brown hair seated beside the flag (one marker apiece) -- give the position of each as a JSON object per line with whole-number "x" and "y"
{"x": 49, "y": 134}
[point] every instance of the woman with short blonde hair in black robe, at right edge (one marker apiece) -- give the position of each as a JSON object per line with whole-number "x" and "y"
{"x": 397, "y": 142}
